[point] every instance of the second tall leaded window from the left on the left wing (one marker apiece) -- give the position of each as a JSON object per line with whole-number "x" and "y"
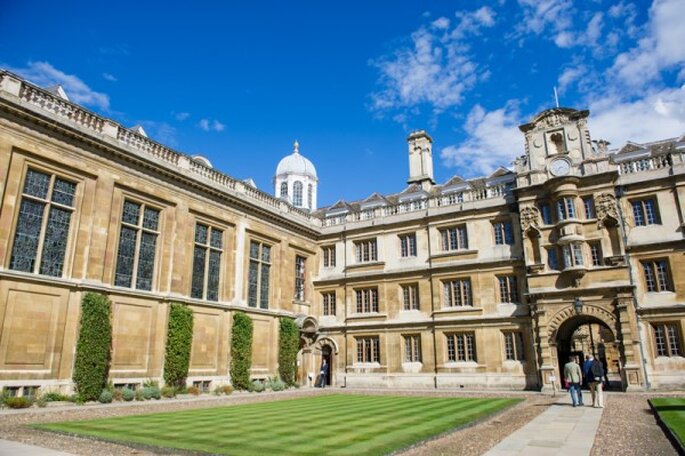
{"x": 137, "y": 246}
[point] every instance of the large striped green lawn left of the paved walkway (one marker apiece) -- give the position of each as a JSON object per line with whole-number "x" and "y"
{"x": 337, "y": 424}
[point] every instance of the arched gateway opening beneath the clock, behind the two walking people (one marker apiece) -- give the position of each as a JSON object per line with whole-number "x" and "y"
{"x": 583, "y": 335}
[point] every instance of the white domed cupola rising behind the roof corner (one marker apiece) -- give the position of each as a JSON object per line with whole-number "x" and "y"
{"x": 296, "y": 180}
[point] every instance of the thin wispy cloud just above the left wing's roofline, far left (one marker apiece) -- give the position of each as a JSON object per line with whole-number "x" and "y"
{"x": 45, "y": 75}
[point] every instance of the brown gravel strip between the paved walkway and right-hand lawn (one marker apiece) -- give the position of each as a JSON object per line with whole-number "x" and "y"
{"x": 628, "y": 428}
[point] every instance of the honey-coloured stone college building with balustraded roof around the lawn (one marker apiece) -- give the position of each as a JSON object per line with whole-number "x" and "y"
{"x": 485, "y": 283}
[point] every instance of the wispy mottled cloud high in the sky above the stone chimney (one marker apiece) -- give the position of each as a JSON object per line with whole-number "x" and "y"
{"x": 435, "y": 69}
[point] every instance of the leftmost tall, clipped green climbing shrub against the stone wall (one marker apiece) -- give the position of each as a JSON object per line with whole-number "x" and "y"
{"x": 94, "y": 346}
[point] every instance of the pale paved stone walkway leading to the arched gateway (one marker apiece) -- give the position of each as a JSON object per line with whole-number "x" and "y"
{"x": 559, "y": 430}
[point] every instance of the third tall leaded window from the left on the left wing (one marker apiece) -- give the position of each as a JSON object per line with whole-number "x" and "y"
{"x": 206, "y": 262}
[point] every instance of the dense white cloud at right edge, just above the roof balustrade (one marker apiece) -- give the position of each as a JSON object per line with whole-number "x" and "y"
{"x": 657, "y": 115}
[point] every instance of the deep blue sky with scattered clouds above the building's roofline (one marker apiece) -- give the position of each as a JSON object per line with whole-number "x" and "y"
{"x": 239, "y": 82}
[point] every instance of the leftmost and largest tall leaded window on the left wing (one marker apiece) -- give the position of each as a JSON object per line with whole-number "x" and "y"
{"x": 42, "y": 231}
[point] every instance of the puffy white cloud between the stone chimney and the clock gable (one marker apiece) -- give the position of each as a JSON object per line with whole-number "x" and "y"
{"x": 493, "y": 140}
